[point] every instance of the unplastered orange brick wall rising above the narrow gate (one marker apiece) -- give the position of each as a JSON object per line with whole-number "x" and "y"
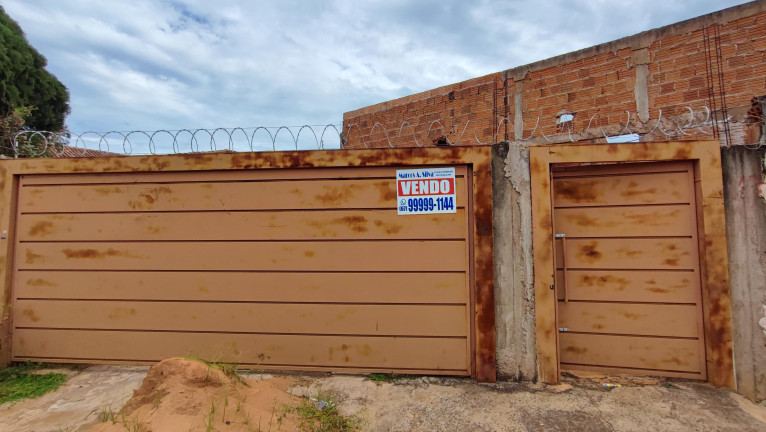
{"x": 604, "y": 86}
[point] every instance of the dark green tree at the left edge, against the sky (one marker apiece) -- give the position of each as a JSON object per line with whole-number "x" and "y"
{"x": 24, "y": 84}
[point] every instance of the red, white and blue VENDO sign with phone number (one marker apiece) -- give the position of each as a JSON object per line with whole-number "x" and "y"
{"x": 425, "y": 191}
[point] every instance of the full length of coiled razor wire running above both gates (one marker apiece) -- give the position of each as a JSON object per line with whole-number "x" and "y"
{"x": 331, "y": 136}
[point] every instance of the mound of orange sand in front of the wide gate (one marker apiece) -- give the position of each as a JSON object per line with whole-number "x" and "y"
{"x": 187, "y": 395}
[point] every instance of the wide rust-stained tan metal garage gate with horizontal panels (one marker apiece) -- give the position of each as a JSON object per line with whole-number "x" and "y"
{"x": 281, "y": 268}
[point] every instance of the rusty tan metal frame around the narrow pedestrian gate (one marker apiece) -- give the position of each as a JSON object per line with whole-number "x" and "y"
{"x": 714, "y": 267}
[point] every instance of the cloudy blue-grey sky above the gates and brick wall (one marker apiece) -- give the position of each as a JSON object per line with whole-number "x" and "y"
{"x": 188, "y": 64}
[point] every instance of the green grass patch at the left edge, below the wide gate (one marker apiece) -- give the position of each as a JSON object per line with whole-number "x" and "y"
{"x": 20, "y": 382}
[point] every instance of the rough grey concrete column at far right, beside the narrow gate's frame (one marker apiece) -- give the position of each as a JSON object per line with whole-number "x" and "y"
{"x": 746, "y": 237}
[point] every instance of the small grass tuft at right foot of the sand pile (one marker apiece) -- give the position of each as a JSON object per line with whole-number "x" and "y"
{"x": 322, "y": 415}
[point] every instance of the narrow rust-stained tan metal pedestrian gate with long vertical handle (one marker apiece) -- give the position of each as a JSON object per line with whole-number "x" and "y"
{"x": 628, "y": 274}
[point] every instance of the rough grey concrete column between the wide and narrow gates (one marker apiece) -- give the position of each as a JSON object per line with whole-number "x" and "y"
{"x": 514, "y": 293}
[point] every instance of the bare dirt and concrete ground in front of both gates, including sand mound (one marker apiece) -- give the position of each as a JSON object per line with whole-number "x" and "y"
{"x": 178, "y": 396}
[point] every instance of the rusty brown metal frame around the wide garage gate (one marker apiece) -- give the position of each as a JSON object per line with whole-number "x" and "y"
{"x": 477, "y": 158}
